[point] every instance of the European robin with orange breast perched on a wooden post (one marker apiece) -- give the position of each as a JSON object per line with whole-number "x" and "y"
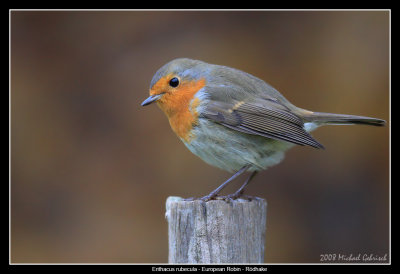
{"x": 233, "y": 120}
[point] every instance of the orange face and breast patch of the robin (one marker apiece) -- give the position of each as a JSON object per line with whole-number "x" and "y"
{"x": 181, "y": 111}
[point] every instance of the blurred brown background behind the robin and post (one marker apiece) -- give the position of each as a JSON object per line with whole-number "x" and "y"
{"x": 91, "y": 169}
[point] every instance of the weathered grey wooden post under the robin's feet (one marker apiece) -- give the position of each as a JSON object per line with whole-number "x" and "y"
{"x": 216, "y": 231}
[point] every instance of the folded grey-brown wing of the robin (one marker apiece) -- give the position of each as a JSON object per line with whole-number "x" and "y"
{"x": 266, "y": 118}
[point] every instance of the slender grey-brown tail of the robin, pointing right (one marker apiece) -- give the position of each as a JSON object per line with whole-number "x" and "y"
{"x": 341, "y": 119}
